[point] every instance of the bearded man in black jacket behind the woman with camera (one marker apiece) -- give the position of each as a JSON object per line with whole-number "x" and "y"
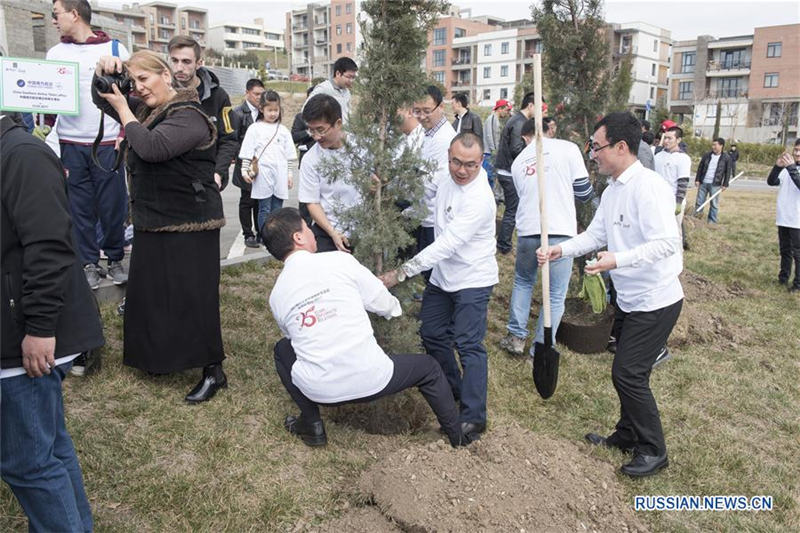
{"x": 185, "y": 56}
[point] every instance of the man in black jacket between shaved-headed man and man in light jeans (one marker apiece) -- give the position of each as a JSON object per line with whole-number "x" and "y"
{"x": 509, "y": 147}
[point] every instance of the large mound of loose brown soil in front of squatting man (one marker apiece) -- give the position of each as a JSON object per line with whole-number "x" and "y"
{"x": 509, "y": 480}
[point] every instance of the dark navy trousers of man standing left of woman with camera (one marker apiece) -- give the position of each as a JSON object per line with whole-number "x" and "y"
{"x": 98, "y": 202}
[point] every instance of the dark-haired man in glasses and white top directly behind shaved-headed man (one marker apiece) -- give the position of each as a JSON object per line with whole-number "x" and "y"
{"x": 435, "y": 144}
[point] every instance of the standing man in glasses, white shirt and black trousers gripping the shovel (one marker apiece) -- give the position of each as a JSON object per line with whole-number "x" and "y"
{"x": 636, "y": 221}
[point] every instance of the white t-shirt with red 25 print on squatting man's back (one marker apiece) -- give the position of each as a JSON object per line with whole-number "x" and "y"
{"x": 320, "y": 302}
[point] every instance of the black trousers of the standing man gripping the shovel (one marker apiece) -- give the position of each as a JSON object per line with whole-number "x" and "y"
{"x": 640, "y": 337}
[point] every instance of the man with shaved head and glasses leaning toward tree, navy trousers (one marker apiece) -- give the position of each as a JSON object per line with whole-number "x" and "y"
{"x": 455, "y": 302}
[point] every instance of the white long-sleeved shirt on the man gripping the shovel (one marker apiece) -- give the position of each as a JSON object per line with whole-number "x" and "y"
{"x": 636, "y": 220}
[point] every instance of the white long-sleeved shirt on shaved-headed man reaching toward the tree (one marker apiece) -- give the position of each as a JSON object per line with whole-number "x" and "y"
{"x": 463, "y": 253}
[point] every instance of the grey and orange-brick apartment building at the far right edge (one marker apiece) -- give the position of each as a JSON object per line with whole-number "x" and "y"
{"x": 751, "y": 81}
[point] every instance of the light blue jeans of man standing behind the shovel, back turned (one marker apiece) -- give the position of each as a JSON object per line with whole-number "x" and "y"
{"x": 526, "y": 271}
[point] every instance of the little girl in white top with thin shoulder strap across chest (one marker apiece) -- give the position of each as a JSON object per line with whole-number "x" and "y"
{"x": 270, "y": 142}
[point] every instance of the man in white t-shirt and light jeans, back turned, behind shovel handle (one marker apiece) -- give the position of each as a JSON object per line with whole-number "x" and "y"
{"x": 566, "y": 180}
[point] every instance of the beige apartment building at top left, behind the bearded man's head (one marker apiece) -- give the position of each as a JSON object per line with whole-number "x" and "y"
{"x": 152, "y": 25}
